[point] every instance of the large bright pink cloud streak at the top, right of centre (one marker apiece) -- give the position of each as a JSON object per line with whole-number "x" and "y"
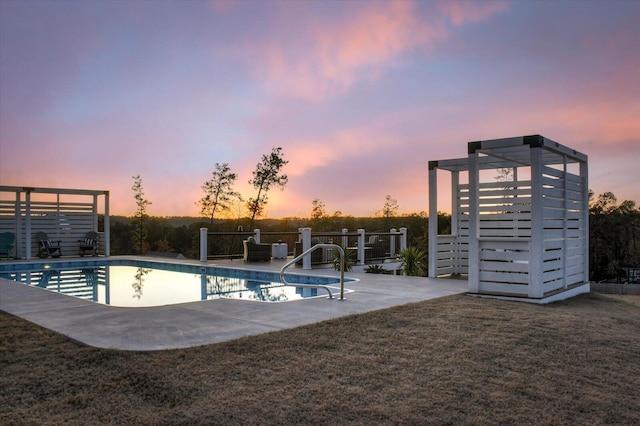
{"x": 329, "y": 56}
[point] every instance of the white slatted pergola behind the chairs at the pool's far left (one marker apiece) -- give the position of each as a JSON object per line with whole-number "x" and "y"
{"x": 66, "y": 215}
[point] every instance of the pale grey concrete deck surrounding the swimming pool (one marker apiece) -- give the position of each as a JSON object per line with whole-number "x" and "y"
{"x": 212, "y": 321}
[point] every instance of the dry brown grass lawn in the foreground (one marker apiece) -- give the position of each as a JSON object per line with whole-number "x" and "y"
{"x": 455, "y": 360}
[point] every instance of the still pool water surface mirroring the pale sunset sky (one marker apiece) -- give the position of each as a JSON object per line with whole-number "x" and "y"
{"x": 112, "y": 285}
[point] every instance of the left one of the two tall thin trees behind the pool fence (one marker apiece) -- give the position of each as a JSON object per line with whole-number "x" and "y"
{"x": 218, "y": 192}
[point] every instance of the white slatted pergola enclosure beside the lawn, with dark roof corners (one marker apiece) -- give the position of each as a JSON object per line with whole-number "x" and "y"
{"x": 519, "y": 219}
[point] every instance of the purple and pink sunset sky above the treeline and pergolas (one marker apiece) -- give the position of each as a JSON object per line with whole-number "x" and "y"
{"x": 360, "y": 95}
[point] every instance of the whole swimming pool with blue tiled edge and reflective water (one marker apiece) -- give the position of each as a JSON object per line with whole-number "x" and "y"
{"x": 142, "y": 283}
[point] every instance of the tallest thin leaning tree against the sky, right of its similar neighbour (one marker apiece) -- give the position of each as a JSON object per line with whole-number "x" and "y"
{"x": 266, "y": 175}
